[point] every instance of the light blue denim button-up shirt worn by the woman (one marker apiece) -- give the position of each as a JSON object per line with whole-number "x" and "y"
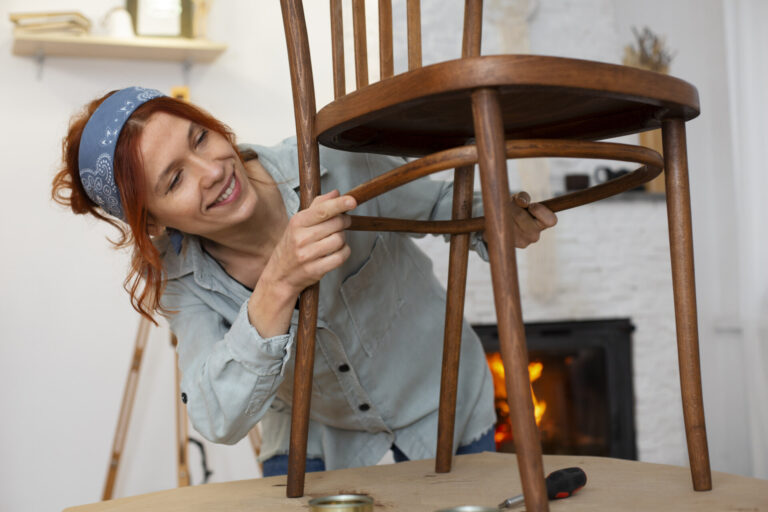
{"x": 379, "y": 338}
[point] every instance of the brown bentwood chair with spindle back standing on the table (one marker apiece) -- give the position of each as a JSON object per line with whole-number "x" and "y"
{"x": 484, "y": 110}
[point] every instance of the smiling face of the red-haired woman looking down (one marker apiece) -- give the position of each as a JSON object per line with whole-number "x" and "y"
{"x": 194, "y": 178}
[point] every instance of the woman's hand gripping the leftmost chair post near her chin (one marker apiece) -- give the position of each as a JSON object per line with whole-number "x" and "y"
{"x": 312, "y": 245}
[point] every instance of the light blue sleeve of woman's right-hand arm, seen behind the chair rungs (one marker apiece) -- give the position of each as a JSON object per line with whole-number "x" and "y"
{"x": 422, "y": 199}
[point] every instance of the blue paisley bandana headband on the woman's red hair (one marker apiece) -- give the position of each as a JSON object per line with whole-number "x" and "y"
{"x": 97, "y": 150}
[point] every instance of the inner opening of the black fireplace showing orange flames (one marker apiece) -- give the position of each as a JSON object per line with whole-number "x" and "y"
{"x": 569, "y": 399}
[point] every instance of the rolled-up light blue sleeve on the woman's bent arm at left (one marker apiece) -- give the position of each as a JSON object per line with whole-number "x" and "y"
{"x": 230, "y": 374}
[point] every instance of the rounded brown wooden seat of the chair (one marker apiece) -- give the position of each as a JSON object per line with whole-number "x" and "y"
{"x": 429, "y": 109}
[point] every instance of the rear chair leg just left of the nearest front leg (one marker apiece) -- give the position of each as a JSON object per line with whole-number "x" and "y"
{"x": 463, "y": 183}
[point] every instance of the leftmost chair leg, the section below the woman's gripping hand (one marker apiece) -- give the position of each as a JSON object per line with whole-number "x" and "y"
{"x": 302, "y": 390}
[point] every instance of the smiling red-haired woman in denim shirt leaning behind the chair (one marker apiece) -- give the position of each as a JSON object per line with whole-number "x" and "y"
{"x": 220, "y": 248}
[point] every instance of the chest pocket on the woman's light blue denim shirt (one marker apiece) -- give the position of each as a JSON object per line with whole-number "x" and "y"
{"x": 373, "y": 298}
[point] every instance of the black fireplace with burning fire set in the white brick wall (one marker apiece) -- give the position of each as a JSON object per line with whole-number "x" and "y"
{"x": 581, "y": 379}
